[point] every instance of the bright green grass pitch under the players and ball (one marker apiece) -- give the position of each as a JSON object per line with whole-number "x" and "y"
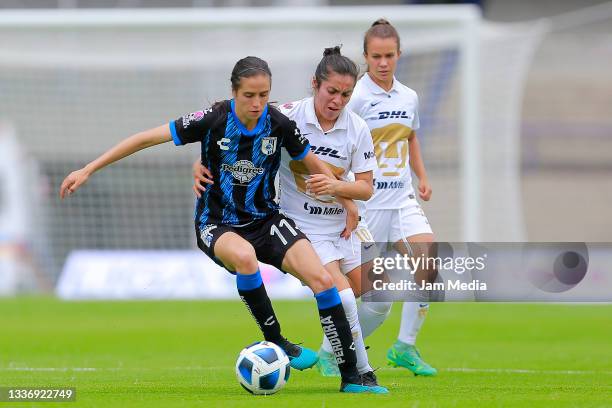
{"x": 179, "y": 354}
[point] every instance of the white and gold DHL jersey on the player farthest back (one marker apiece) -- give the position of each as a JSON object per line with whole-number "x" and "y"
{"x": 391, "y": 117}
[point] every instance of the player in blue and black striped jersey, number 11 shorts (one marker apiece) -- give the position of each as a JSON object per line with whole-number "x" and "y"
{"x": 237, "y": 220}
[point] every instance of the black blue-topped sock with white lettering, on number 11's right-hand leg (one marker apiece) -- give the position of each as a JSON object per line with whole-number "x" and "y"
{"x": 338, "y": 332}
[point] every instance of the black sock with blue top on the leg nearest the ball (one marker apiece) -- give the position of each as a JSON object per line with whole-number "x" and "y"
{"x": 253, "y": 293}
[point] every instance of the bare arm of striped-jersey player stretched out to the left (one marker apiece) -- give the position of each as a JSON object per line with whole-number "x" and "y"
{"x": 132, "y": 144}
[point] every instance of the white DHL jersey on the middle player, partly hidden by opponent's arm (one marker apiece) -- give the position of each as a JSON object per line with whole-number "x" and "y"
{"x": 347, "y": 147}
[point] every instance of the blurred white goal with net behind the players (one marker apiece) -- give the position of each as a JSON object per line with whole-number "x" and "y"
{"x": 74, "y": 83}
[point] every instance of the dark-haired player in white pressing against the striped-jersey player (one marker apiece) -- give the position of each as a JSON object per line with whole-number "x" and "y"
{"x": 341, "y": 139}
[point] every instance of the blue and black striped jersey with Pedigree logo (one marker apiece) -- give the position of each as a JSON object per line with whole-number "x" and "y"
{"x": 243, "y": 163}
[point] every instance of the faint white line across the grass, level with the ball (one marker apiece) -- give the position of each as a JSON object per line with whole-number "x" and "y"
{"x": 207, "y": 368}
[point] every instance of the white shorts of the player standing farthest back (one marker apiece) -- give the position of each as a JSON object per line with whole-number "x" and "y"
{"x": 394, "y": 225}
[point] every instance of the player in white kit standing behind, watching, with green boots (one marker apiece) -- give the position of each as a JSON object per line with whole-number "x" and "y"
{"x": 393, "y": 214}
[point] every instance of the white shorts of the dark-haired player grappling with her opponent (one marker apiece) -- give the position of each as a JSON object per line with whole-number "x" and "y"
{"x": 347, "y": 251}
